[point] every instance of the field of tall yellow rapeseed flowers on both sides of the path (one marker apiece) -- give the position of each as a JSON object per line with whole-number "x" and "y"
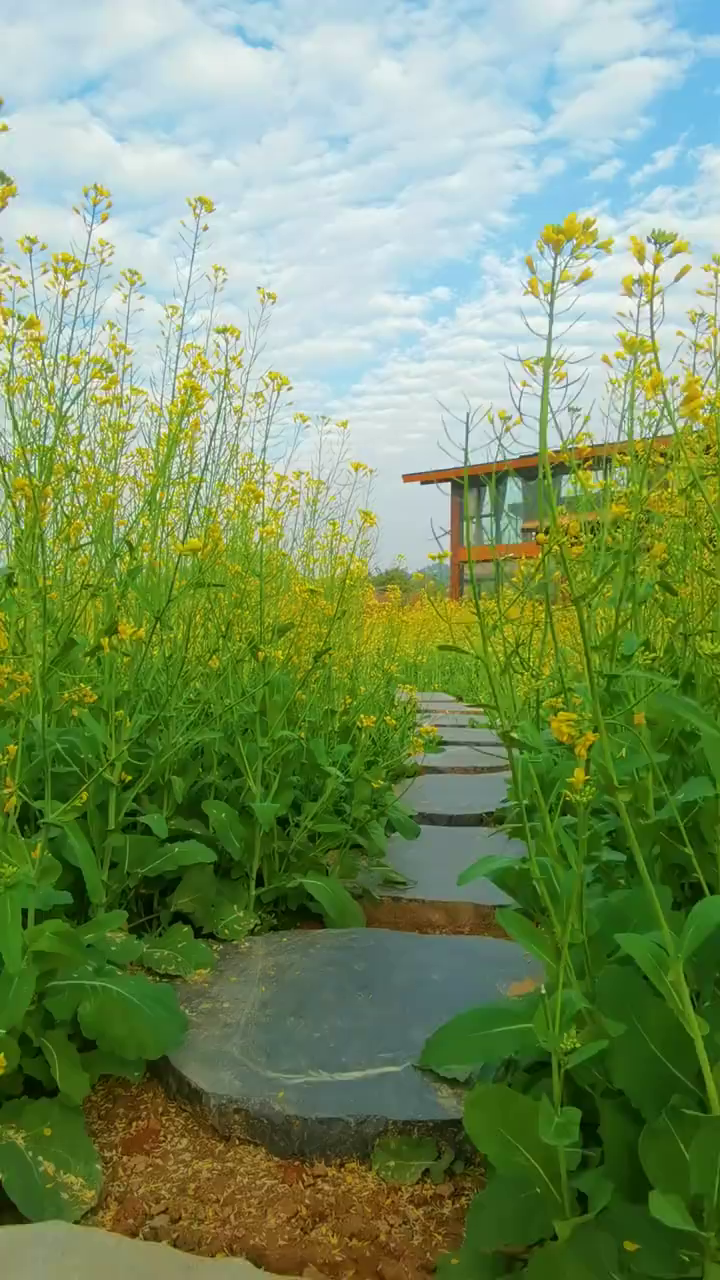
{"x": 200, "y": 733}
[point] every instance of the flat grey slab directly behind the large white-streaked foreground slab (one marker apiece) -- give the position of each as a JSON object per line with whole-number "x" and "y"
{"x": 435, "y": 861}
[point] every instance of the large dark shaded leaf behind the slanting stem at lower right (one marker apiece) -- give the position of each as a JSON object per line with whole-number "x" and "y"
{"x": 654, "y": 1059}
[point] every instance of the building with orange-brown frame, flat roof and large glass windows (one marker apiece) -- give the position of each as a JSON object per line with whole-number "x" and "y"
{"x": 503, "y": 518}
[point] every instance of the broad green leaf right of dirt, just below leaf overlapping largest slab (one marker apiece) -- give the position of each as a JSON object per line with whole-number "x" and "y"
{"x": 504, "y": 1126}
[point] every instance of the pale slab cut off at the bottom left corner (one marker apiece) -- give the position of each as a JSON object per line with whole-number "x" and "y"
{"x": 57, "y": 1251}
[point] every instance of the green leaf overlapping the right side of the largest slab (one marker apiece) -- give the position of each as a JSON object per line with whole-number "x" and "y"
{"x": 480, "y": 1036}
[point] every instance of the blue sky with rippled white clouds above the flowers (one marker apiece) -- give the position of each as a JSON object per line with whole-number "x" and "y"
{"x": 382, "y": 164}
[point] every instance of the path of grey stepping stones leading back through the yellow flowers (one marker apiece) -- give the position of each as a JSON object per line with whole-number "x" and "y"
{"x": 307, "y": 1041}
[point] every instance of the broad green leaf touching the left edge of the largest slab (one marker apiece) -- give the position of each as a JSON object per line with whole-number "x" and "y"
{"x": 126, "y": 1014}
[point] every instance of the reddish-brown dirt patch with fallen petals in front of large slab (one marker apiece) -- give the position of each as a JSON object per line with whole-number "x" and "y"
{"x": 171, "y": 1178}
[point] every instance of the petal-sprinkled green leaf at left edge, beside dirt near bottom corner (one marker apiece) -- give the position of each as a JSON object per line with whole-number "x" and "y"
{"x": 48, "y": 1164}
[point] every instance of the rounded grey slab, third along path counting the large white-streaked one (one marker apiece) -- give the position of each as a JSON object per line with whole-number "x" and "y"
{"x": 455, "y": 799}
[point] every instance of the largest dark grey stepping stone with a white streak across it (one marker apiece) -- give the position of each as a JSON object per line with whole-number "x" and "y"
{"x": 307, "y": 1041}
